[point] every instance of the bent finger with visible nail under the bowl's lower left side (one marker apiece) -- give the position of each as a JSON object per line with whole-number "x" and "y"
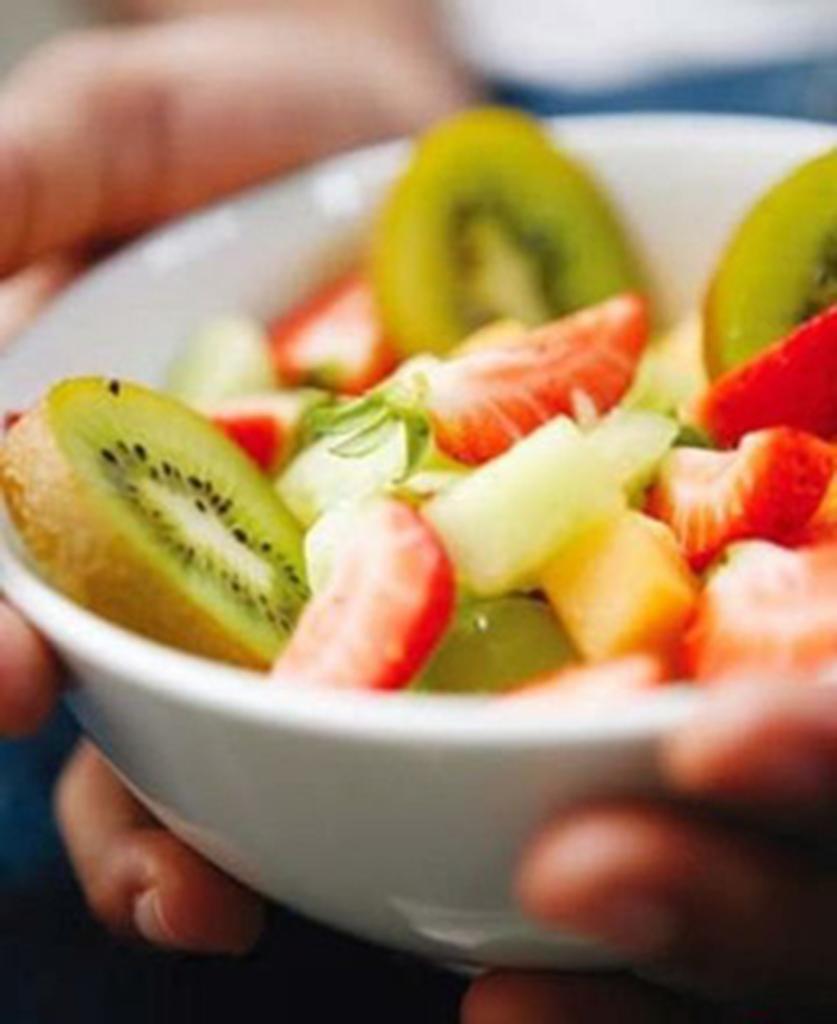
{"x": 139, "y": 879}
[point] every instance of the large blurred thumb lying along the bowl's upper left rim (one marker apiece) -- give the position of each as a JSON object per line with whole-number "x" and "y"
{"x": 109, "y": 132}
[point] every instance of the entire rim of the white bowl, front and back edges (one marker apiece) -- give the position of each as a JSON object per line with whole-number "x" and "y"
{"x": 396, "y": 719}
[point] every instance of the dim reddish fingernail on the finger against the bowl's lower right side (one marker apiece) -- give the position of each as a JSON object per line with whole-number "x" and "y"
{"x": 637, "y": 925}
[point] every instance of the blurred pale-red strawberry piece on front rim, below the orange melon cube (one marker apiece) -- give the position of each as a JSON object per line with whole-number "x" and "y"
{"x": 593, "y": 689}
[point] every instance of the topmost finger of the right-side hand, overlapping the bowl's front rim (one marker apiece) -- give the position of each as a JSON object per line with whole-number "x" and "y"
{"x": 761, "y": 746}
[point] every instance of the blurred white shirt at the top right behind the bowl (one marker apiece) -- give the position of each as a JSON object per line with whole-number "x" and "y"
{"x": 590, "y": 45}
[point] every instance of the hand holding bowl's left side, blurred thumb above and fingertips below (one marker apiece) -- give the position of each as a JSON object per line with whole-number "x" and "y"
{"x": 101, "y": 137}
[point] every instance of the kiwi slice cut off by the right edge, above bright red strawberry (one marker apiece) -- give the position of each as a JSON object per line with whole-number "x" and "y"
{"x": 780, "y": 269}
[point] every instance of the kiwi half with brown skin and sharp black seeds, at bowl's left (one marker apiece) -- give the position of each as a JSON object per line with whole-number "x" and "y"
{"x": 145, "y": 514}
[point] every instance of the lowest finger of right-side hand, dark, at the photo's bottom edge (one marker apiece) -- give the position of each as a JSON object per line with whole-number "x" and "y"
{"x": 539, "y": 999}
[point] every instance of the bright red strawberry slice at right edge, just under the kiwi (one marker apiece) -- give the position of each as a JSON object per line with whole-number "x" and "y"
{"x": 793, "y": 383}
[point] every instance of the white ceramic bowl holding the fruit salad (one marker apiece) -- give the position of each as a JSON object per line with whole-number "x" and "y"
{"x": 399, "y": 820}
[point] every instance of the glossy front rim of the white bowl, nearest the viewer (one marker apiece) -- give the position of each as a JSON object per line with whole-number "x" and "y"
{"x": 402, "y": 718}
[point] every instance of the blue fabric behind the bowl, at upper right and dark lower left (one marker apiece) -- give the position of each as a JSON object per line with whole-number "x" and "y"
{"x": 58, "y": 966}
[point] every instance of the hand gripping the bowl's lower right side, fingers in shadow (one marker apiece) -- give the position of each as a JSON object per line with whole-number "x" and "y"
{"x": 737, "y": 906}
